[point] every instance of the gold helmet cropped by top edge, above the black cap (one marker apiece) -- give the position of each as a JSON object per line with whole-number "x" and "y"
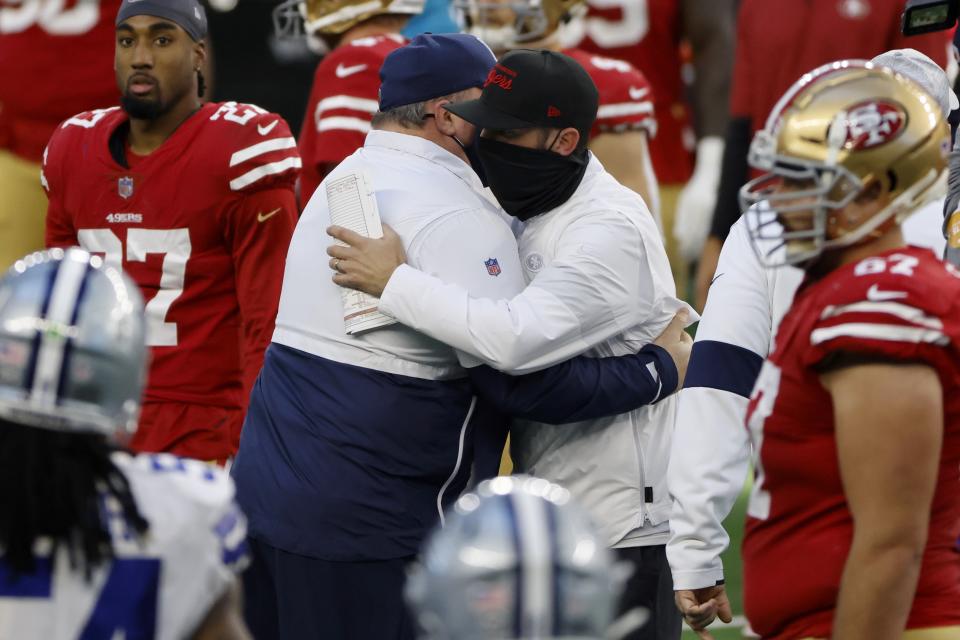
{"x": 507, "y": 24}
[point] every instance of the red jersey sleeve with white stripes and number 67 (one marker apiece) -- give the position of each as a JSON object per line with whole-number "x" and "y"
{"x": 900, "y": 306}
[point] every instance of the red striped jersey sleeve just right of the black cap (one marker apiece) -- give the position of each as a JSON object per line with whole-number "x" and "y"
{"x": 626, "y": 99}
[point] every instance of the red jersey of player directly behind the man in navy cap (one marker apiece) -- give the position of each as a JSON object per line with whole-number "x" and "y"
{"x": 344, "y": 97}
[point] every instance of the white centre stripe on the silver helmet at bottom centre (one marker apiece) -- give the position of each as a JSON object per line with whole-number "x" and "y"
{"x": 536, "y": 565}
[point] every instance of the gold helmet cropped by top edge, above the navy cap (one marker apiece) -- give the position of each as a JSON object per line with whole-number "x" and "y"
{"x": 314, "y": 18}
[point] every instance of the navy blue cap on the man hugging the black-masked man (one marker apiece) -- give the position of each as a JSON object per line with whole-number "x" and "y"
{"x": 433, "y": 65}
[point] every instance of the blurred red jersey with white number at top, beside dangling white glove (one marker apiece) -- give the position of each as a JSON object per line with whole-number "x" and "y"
{"x": 646, "y": 34}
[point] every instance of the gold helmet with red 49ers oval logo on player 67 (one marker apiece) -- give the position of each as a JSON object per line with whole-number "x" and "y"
{"x": 844, "y": 131}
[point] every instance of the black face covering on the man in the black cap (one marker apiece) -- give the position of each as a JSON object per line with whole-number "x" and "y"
{"x": 528, "y": 182}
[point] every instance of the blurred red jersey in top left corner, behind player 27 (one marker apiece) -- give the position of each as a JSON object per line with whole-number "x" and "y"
{"x": 56, "y": 59}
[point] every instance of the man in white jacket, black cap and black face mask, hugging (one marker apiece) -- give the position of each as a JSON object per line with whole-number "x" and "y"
{"x": 598, "y": 283}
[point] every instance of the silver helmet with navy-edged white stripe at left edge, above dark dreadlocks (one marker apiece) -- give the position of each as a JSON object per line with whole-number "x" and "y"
{"x": 72, "y": 350}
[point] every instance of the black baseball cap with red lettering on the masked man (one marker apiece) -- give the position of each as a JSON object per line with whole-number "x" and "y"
{"x": 534, "y": 88}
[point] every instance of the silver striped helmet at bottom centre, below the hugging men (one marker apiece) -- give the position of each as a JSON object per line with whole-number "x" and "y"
{"x": 515, "y": 559}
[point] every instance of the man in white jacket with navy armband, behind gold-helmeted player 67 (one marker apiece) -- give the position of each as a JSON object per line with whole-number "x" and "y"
{"x": 709, "y": 459}
